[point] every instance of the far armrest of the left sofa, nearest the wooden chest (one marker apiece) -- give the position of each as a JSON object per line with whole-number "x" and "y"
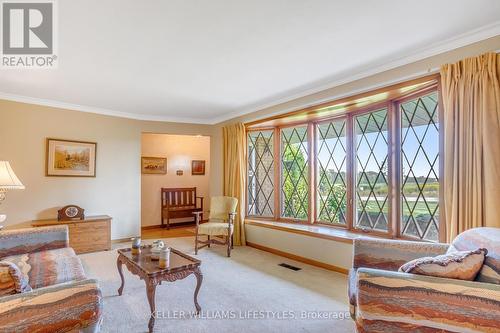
{"x": 18, "y": 241}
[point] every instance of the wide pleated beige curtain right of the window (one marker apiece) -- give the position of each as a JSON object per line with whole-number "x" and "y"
{"x": 471, "y": 101}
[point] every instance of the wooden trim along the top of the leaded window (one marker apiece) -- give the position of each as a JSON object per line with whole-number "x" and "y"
{"x": 428, "y": 78}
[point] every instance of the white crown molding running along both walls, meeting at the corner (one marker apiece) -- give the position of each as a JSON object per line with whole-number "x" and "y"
{"x": 447, "y": 45}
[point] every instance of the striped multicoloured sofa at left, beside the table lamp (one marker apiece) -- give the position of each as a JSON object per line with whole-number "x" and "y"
{"x": 62, "y": 298}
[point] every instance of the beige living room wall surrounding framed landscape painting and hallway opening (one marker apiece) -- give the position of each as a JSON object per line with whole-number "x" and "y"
{"x": 116, "y": 190}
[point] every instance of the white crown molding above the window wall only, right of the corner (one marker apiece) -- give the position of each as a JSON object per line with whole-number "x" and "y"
{"x": 473, "y": 36}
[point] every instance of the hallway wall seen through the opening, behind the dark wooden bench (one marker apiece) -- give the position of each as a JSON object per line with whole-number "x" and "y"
{"x": 179, "y": 151}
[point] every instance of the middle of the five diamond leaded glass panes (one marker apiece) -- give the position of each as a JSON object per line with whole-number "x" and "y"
{"x": 331, "y": 172}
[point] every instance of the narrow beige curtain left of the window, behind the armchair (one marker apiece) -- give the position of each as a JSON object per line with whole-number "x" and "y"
{"x": 234, "y": 154}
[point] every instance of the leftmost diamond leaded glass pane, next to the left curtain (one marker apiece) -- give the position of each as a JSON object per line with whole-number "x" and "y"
{"x": 260, "y": 173}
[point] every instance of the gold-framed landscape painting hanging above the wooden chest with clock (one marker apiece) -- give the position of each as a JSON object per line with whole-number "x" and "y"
{"x": 68, "y": 158}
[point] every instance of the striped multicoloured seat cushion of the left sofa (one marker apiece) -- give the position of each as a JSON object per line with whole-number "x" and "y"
{"x": 46, "y": 268}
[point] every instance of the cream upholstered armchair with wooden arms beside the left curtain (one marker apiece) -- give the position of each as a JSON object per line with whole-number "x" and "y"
{"x": 220, "y": 223}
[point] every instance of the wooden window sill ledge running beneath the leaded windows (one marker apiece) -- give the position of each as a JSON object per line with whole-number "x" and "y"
{"x": 317, "y": 231}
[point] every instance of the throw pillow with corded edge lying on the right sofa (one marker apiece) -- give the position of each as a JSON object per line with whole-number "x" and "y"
{"x": 463, "y": 265}
